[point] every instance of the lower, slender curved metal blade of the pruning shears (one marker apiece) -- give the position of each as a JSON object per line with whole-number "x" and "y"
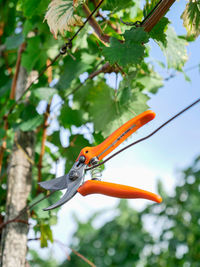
{"x": 71, "y": 191}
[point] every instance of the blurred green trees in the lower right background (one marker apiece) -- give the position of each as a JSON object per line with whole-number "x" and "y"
{"x": 125, "y": 241}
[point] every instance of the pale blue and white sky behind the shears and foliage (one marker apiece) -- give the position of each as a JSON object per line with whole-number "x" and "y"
{"x": 162, "y": 156}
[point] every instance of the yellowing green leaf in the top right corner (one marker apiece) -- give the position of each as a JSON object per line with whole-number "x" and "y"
{"x": 191, "y": 18}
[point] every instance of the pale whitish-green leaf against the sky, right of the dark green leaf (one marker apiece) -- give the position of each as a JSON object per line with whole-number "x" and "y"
{"x": 175, "y": 50}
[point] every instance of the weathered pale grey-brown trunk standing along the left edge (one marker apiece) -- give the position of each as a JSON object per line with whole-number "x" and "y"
{"x": 14, "y": 236}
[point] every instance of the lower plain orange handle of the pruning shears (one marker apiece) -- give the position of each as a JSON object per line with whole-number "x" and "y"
{"x": 116, "y": 190}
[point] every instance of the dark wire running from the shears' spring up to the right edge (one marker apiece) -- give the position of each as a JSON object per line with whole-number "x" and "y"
{"x": 146, "y": 137}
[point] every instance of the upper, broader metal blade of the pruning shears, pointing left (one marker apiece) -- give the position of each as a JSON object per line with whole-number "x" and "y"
{"x": 55, "y": 184}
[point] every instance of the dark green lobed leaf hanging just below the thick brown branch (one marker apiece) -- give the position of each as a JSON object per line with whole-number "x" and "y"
{"x": 129, "y": 52}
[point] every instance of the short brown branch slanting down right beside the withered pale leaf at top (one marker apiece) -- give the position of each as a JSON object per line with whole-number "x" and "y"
{"x": 103, "y": 37}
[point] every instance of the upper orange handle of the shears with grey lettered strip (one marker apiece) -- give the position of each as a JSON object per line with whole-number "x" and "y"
{"x": 116, "y": 138}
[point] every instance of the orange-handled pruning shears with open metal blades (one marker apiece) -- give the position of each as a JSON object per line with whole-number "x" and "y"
{"x": 90, "y": 157}
